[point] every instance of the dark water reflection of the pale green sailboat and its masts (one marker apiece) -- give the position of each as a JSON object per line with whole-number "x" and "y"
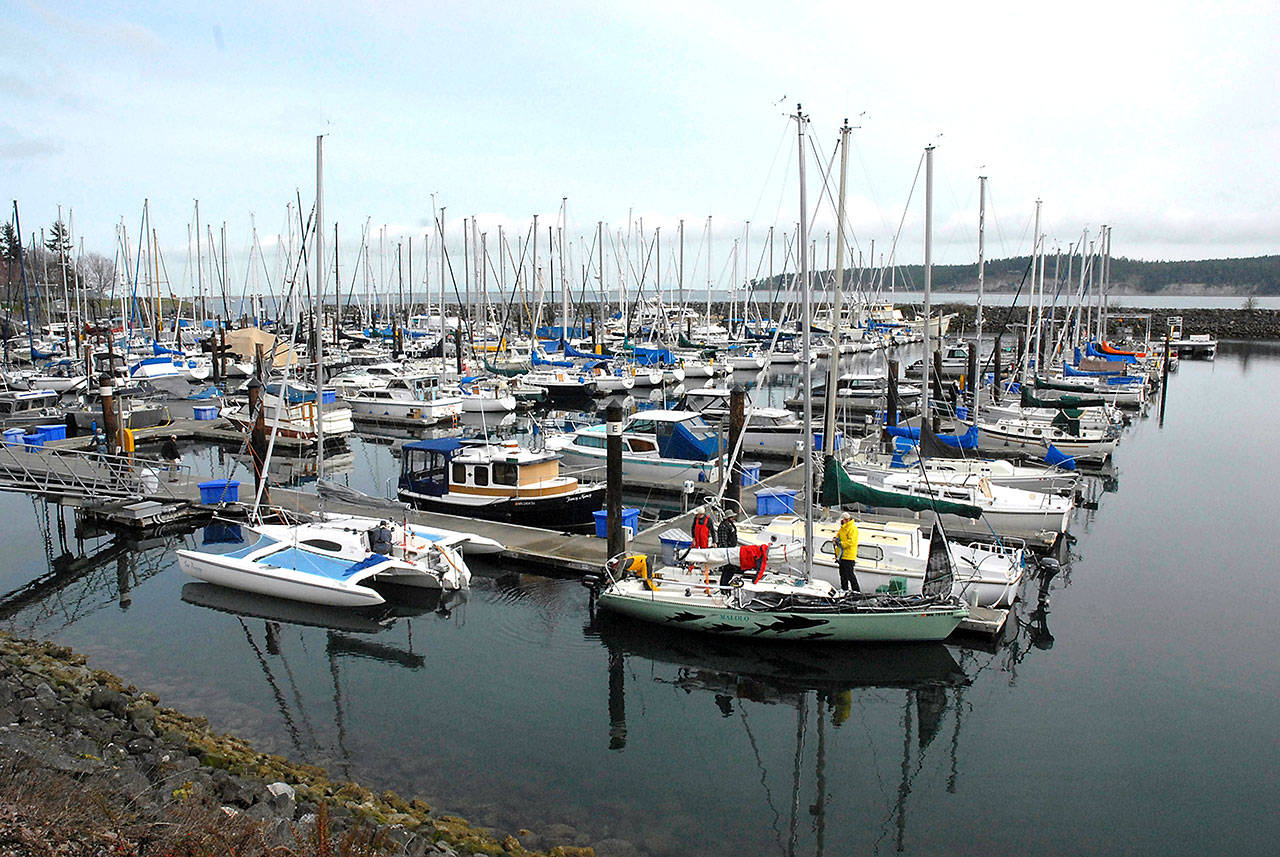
{"x": 822, "y": 684}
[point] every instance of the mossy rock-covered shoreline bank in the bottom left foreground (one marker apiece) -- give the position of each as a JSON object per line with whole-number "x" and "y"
{"x": 90, "y": 766}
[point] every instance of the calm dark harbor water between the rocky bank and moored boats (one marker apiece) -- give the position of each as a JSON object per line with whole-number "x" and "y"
{"x": 1131, "y": 711}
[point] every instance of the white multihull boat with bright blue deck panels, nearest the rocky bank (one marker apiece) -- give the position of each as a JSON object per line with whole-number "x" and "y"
{"x": 333, "y": 561}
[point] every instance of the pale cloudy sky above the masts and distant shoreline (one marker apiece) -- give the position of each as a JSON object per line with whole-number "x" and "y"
{"x": 1160, "y": 120}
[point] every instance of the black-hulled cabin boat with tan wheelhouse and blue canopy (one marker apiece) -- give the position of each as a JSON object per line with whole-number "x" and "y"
{"x": 496, "y": 483}
